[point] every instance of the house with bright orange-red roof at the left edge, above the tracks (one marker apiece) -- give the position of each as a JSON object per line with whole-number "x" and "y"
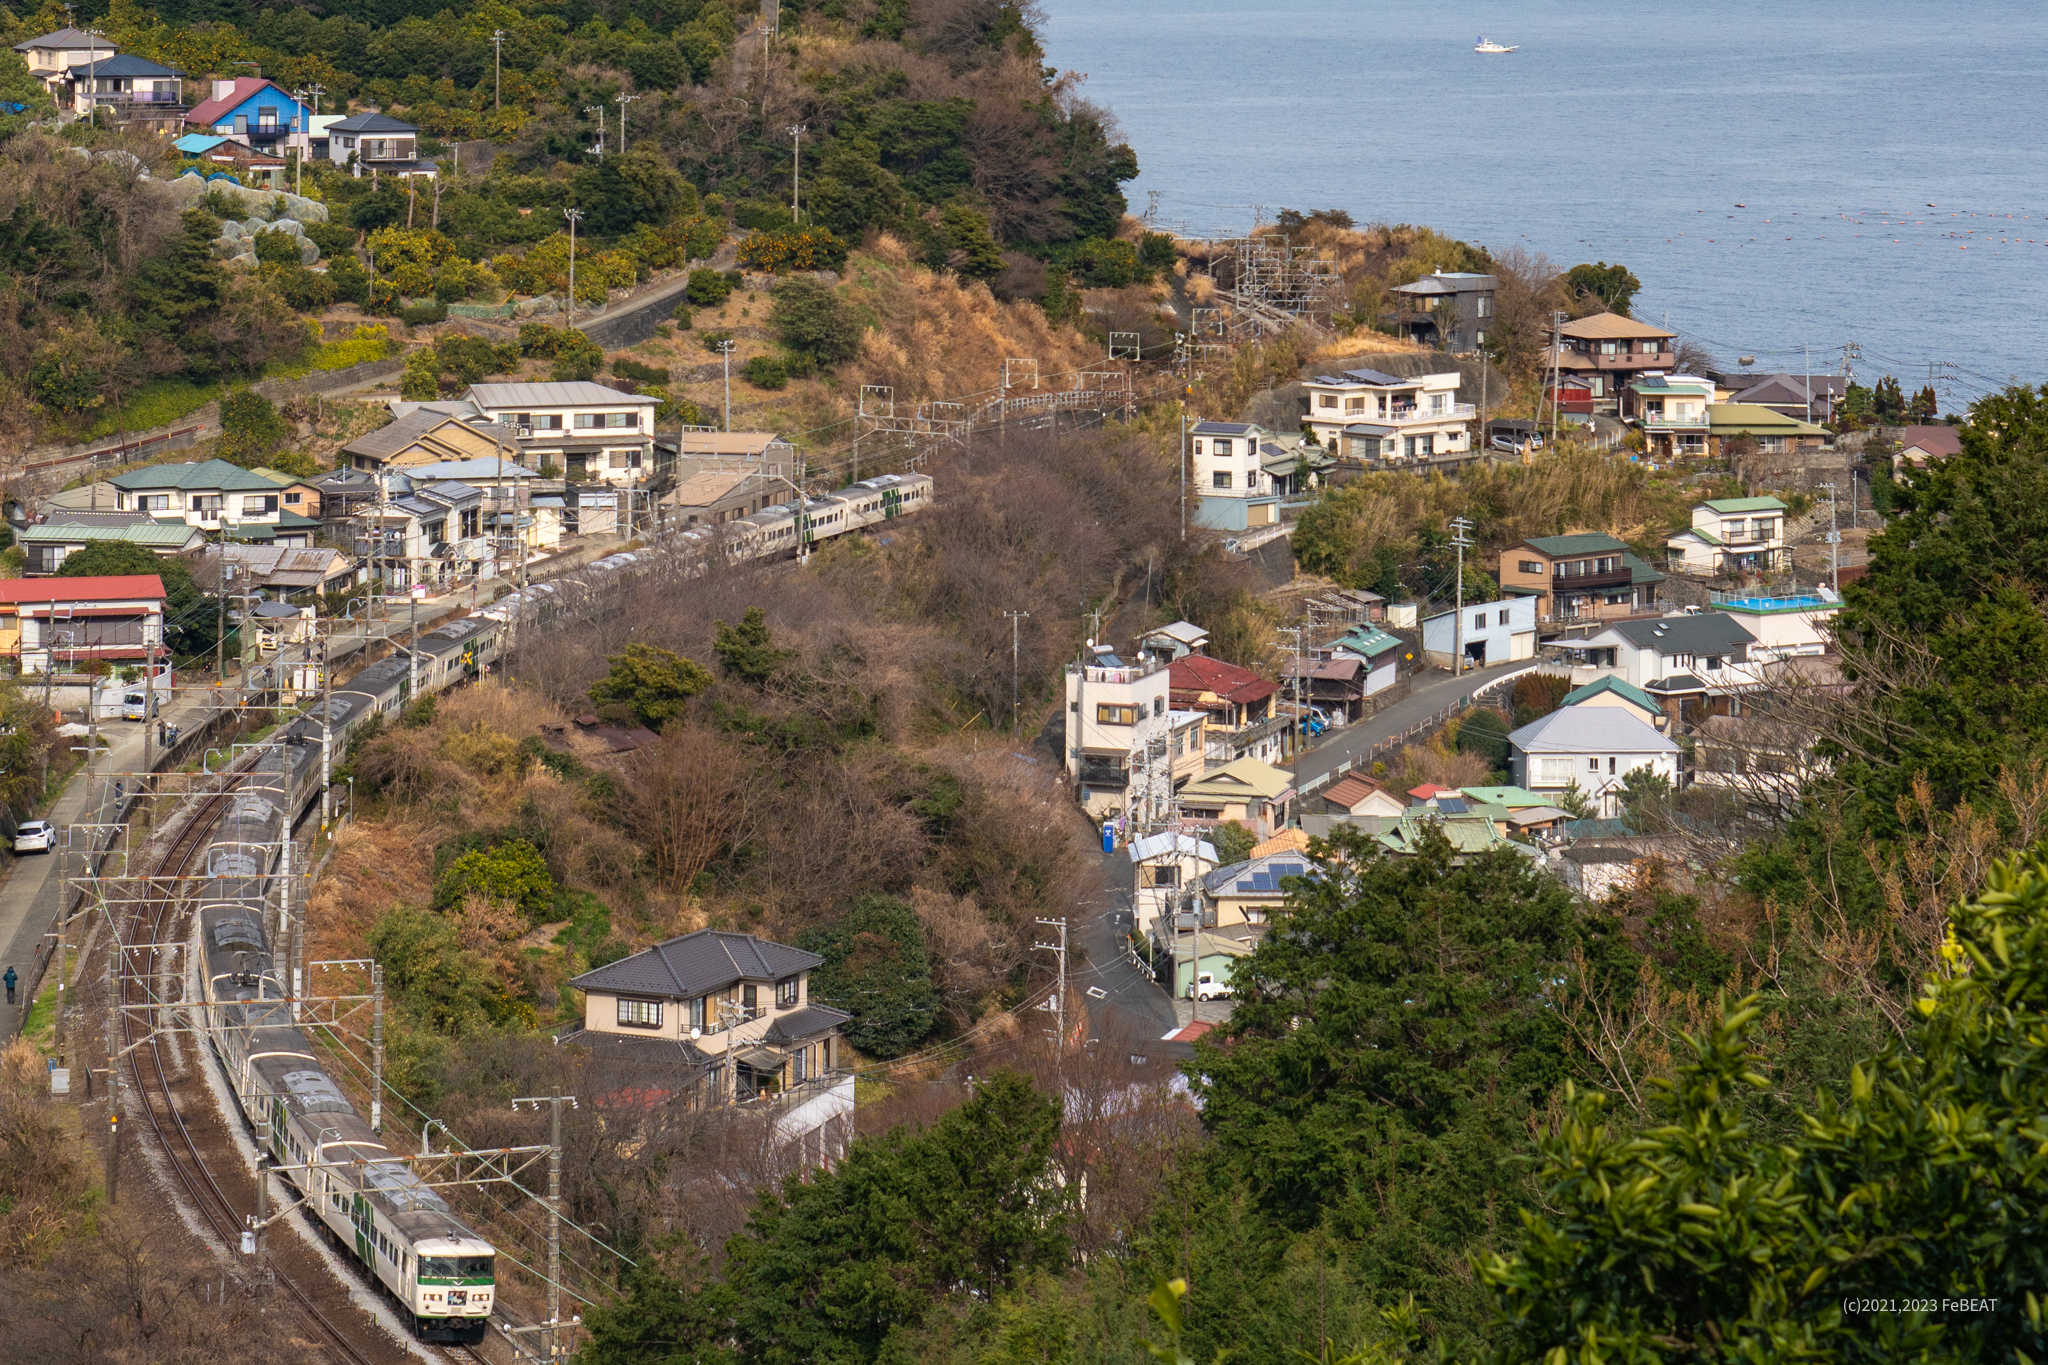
{"x": 58, "y": 625}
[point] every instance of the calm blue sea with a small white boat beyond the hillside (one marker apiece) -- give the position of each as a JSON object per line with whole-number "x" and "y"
{"x": 1781, "y": 175}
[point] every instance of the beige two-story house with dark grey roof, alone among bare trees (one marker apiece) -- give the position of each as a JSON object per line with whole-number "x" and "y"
{"x": 722, "y": 1018}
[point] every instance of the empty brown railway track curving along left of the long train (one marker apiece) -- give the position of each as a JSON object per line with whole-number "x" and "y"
{"x": 155, "y": 1086}
